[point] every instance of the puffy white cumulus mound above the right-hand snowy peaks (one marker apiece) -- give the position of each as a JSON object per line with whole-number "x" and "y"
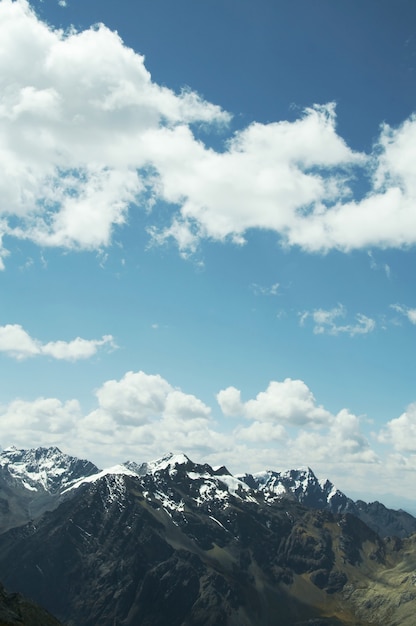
{"x": 287, "y": 414}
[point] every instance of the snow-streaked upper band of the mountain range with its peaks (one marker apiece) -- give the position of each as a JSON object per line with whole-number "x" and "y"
{"x": 38, "y": 480}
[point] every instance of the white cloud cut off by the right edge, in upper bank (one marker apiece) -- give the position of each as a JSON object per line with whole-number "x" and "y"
{"x": 385, "y": 217}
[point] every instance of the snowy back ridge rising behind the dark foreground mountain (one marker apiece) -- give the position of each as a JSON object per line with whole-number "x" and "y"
{"x": 38, "y": 479}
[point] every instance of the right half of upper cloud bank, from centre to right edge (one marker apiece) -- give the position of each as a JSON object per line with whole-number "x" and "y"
{"x": 292, "y": 178}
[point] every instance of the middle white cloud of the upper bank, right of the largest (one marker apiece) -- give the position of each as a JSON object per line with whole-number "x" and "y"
{"x": 269, "y": 177}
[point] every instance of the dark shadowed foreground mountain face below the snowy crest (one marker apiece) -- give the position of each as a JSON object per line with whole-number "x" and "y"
{"x": 116, "y": 551}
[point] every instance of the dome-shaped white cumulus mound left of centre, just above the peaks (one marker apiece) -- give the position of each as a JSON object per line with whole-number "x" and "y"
{"x": 143, "y": 411}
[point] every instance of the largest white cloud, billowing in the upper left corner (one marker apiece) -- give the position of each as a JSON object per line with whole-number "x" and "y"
{"x": 76, "y": 111}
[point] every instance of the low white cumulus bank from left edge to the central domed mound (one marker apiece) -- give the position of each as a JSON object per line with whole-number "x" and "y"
{"x": 139, "y": 416}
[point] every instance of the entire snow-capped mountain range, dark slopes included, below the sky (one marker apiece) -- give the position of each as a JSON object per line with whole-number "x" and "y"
{"x": 174, "y": 542}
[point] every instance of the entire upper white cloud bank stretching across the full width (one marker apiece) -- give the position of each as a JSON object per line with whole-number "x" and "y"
{"x": 86, "y": 135}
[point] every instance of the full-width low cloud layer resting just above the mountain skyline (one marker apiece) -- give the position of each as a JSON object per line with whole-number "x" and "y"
{"x": 142, "y": 416}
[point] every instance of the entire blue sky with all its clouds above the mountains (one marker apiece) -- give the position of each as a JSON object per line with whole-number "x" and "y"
{"x": 208, "y": 229}
